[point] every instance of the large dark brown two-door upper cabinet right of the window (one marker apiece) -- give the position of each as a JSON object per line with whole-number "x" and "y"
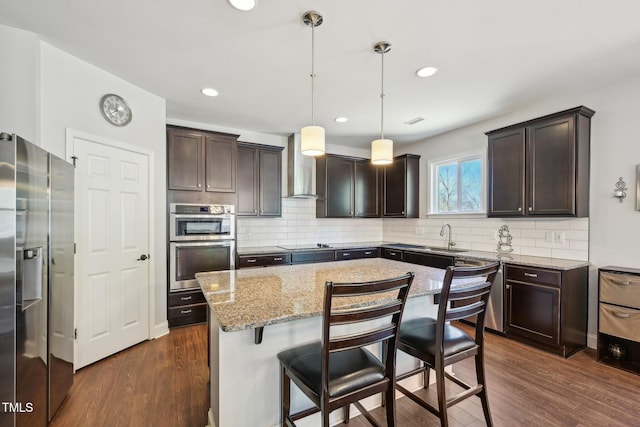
{"x": 541, "y": 167}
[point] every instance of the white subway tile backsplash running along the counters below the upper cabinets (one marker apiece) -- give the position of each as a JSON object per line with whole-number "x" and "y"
{"x": 557, "y": 238}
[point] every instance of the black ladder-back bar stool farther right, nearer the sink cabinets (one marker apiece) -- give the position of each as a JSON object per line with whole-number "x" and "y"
{"x": 438, "y": 344}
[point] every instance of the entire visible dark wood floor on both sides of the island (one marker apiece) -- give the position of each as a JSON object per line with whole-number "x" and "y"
{"x": 164, "y": 383}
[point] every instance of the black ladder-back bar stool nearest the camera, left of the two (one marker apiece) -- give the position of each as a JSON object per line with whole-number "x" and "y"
{"x": 338, "y": 371}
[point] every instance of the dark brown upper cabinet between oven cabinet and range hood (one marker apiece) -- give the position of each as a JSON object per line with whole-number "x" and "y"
{"x": 259, "y": 180}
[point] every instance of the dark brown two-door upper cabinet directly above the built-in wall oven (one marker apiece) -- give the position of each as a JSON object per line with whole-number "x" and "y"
{"x": 201, "y": 161}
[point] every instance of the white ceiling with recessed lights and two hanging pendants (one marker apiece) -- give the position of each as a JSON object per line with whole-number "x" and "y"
{"x": 493, "y": 56}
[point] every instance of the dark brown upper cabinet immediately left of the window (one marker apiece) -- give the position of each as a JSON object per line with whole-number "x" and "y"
{"x": 401, "y": 187}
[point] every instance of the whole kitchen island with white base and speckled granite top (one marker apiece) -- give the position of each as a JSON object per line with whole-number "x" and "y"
{"x": 286, "y": 301}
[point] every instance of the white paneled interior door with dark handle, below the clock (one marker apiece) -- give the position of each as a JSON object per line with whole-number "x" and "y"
{"x": 112, "y": 235}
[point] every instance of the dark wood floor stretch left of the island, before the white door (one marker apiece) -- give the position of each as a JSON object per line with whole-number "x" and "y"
{"x": 162, "y": 382}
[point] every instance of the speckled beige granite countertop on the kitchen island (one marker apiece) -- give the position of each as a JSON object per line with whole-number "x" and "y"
{"x": 256, "y": 297}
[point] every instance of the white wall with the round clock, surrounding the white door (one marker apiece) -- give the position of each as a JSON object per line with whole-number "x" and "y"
{"x": 70, "y": 92}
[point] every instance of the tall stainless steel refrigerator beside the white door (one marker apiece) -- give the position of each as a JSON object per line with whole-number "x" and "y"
{"x": 36, "y": 282}
